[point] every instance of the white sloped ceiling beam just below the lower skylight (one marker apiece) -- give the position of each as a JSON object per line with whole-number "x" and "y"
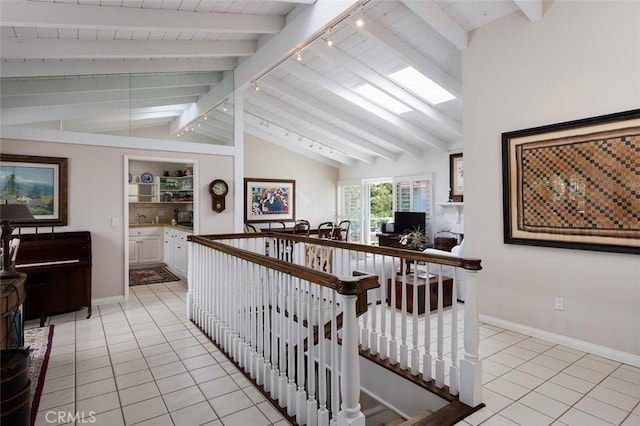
{"x": 416, "y": 134}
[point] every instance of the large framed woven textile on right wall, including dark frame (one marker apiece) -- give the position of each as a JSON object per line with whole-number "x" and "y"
{"x": 574, "y": 185}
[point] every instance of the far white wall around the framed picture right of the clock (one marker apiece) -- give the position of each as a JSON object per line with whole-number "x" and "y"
{"x": 315, "y": 181}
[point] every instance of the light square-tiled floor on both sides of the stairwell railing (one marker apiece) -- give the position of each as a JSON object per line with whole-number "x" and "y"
{"x": 143, "y": 363}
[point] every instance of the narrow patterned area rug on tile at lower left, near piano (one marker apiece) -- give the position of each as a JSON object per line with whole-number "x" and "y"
{"x": 38, "y": 340}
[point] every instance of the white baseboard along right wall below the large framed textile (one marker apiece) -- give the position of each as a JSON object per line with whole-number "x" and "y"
{"x": 581, "y": 345}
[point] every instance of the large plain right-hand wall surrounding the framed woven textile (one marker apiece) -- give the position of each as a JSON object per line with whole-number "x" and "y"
{"x": 581, "y": 60}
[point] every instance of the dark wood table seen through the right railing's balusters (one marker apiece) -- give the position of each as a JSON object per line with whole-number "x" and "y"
{"x": 447, "y": 285}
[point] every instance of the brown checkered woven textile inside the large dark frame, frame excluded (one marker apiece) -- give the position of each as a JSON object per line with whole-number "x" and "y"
{"x": 586, "y": 185}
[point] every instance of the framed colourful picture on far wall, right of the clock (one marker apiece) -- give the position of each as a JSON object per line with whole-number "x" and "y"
{"x": 269, "y": 200}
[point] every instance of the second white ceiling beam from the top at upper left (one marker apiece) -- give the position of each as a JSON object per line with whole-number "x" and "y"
{"x": 74, "y": 49}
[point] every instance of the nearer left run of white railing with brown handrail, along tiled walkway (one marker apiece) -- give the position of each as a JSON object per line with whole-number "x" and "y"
{"x": 270, "y": 317}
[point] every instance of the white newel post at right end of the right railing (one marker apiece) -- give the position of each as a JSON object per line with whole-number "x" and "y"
{"x": 470, "y": 365}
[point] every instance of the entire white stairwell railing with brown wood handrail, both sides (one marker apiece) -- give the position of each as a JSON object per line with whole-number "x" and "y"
{"x": 281, "y": 303}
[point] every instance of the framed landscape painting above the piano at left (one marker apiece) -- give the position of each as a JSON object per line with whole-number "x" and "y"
{"x": 38, "y": 182}
